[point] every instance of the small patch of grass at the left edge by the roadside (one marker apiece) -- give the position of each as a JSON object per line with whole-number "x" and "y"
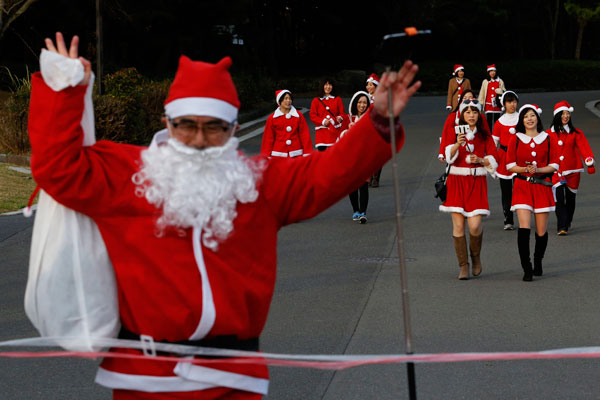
{"x": 15, "y": 189}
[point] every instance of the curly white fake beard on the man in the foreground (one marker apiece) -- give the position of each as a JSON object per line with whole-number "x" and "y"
{"x": 198, "y": 188}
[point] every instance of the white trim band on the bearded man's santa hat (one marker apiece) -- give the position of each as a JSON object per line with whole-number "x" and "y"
{"x": 201, "y": 106}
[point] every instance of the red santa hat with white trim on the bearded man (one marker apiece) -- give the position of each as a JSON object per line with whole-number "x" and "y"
{"x": 203, "y": 89}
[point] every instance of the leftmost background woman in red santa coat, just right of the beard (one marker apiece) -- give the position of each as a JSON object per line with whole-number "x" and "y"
{"x": 286, "y": 132}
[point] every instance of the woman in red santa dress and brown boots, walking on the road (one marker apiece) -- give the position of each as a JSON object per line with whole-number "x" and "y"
{"x": 471, "y": 156}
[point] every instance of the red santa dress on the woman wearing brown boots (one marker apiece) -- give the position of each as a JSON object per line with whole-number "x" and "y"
{"x": 466, "y": 183}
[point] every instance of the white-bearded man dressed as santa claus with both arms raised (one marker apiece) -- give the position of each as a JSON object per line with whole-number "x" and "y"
{"x": 190, "y": 223}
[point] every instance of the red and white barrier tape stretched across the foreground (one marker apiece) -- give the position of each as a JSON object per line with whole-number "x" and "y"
{"x": 329, "y": 362}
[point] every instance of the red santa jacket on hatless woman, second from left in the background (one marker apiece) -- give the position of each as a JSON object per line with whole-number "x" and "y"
{"x": 326, "y": 108}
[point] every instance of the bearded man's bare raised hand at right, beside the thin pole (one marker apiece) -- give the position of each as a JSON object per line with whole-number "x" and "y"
{"x": 402, "y": 90}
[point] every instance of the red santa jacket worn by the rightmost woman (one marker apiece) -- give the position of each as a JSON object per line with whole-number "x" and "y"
{"x": 572, "y": 147}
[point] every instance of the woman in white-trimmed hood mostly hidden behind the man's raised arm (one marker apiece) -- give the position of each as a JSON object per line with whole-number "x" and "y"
{"x": 359, "y": 199}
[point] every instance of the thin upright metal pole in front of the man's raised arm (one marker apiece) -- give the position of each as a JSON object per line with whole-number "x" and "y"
{"x": 410, "y": 367}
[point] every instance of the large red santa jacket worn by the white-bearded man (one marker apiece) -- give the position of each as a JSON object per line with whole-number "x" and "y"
{"x": 172, "y": 287}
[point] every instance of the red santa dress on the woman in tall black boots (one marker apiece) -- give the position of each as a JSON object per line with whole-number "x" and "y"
{"x": 543, "y": 151}
